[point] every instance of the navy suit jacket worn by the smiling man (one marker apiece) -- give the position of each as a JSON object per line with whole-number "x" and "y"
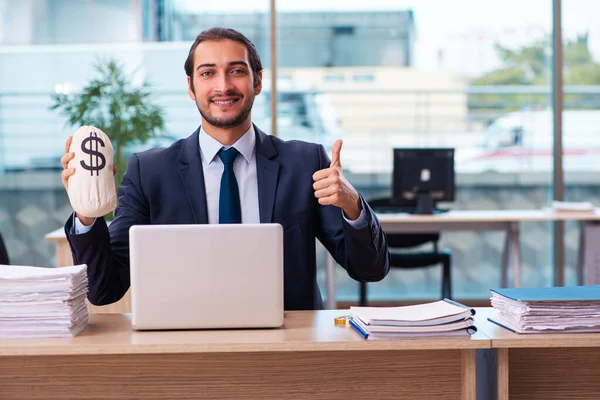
{"x": 166, "y": 186}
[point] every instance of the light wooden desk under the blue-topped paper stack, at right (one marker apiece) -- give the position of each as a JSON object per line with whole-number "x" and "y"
{"x": 543, "y": 366}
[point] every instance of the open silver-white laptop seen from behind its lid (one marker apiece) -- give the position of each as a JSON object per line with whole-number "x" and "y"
{"x": 206, "y": 276}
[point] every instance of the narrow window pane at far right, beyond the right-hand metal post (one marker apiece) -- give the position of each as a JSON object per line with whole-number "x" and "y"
{"x": 581, "y": 116}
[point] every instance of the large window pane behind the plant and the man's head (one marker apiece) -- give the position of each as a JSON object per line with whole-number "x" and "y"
{"x": 33, "y": 201}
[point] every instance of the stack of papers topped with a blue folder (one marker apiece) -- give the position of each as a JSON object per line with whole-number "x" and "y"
{"x": 547, "y": 310}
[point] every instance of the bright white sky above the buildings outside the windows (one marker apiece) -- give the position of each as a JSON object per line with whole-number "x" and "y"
{"x": 437, "y": 20}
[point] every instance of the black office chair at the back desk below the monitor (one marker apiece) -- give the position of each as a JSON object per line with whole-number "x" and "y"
{"x": 419, "y": 259}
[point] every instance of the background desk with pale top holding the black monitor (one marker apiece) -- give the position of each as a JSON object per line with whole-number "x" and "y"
{"x": 475, "y": 220}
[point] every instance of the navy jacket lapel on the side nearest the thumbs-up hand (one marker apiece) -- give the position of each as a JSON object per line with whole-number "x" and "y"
{"x": 267, "y": 173}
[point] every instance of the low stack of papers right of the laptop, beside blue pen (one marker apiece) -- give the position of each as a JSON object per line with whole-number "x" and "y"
{"x": 441, "y": 318}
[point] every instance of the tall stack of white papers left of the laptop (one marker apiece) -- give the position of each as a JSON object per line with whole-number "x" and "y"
{"x": 42, "y": 302}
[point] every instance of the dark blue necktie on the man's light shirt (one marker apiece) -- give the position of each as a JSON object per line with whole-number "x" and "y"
{"x": 230, "y": 211}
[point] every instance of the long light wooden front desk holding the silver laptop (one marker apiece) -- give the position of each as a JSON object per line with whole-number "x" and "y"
{"x": 308, "y": 359}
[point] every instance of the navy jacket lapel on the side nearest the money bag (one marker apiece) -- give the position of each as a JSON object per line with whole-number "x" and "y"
{"x": 192, "y": 176}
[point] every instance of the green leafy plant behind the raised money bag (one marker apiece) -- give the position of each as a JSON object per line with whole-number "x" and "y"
{"x": 112, "y": 103}
